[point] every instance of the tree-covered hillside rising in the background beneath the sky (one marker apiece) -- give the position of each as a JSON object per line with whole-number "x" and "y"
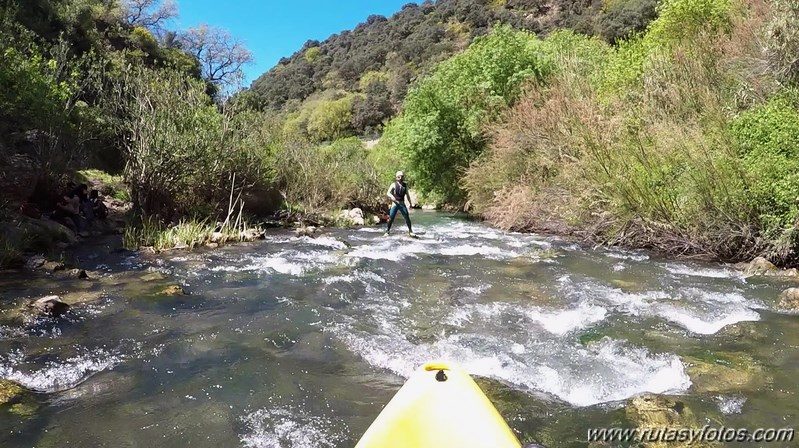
{"x": 352, "y": 82}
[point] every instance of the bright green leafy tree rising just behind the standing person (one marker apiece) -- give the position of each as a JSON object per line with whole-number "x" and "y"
{"x": 440, "y": 129}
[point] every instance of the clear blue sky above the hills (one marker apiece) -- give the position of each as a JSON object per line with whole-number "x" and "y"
{"x": 272, "y": 29}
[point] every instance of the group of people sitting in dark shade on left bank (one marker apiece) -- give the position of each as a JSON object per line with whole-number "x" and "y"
{"x": 78, "y": 208}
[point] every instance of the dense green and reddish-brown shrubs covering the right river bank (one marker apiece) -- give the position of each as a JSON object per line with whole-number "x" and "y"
{"x": 680, "y": 139}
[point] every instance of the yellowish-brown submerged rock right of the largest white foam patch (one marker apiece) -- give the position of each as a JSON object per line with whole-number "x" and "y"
{"x": 725, "y": 372}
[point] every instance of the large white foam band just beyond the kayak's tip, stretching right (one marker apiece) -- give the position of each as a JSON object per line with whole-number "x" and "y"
{"x": 579, "y": 376}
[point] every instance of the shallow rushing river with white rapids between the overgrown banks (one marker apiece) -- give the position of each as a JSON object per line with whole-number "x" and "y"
{"x": 299, "y": 342}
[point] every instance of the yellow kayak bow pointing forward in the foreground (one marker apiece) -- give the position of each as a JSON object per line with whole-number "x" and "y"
{"x": 439, "y": 406}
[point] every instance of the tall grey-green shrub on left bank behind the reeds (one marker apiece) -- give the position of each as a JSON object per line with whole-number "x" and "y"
{"x": 183, "y": 155}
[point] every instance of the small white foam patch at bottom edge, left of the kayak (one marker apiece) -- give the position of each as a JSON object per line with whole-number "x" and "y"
{"x": 286, "y": 427}
